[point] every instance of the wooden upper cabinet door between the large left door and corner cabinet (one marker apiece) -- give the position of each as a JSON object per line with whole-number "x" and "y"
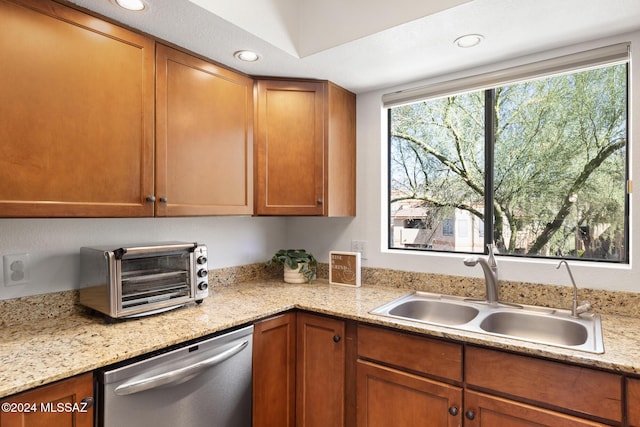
{"x": 204, "y": 137}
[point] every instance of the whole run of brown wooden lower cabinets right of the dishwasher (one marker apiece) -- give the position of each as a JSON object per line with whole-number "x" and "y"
{"x": 312, "y": 370}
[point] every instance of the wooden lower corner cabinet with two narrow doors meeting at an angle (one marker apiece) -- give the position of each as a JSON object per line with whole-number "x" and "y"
{"x": 300, "y": 372}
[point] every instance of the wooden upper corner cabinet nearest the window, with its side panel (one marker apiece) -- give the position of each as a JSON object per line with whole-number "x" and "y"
{"x": 305, "y": 149}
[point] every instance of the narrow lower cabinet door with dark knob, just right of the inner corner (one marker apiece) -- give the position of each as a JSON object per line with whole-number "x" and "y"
{"x": 321, "y": 369}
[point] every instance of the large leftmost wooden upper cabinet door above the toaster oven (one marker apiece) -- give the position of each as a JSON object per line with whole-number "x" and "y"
{"x": 77, "y": 114}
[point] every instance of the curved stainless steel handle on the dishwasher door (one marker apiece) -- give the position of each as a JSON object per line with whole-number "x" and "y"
{"x": 178, "y": 376}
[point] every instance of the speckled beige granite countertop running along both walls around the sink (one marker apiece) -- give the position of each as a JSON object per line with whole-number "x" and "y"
{"x": 40, "y": 352}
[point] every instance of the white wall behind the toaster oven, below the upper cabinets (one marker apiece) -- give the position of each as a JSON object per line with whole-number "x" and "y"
{"x": 54, "y": 244}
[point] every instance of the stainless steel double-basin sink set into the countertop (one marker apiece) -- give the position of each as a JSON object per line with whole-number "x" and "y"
{"x": 550, "y": 326}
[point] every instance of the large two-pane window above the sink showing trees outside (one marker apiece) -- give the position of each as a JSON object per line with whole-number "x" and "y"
{"x": 537, "y": 166}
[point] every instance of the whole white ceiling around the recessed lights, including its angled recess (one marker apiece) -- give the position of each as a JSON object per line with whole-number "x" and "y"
{"x": 365, "y": 45}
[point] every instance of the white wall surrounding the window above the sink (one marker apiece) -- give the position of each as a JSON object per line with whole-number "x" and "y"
{"x": 320, "y": 236}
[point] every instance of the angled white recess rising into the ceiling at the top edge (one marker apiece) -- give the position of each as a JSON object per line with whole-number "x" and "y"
{"x": 304, "y": 27}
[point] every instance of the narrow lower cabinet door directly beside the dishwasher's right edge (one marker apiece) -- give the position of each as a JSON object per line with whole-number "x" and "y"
{"x": 274, "y": 371}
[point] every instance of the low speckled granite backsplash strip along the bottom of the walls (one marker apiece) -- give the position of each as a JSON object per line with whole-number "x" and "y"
{"x": 61, "y": 304}
